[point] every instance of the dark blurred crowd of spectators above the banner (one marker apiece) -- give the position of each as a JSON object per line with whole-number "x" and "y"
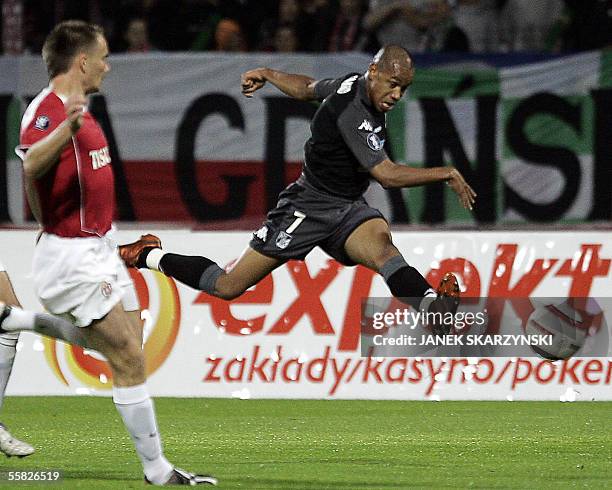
{"x": 139, "y": 26}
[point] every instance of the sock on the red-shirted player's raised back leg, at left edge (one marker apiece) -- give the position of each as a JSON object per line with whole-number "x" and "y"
{"x": 44, "y": 324}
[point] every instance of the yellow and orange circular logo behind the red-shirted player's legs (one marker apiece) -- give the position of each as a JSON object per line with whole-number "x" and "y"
{"x": 158, "y": 295}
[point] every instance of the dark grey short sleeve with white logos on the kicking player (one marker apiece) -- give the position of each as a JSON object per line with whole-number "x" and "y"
{"x": 365, "y": 143}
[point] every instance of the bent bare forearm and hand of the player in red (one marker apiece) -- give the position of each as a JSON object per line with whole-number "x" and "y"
{"x": 43, "y": 154}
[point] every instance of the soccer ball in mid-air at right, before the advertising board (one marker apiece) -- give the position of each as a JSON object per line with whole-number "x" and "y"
{"x": 569, "y": 327}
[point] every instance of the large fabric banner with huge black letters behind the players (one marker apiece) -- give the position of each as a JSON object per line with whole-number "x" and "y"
{"x": 533, "y": 139}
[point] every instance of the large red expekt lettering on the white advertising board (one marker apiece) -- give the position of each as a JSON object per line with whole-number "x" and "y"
{"x": 508, "y": 279}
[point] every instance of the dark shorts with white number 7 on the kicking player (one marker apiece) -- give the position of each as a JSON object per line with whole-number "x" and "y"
{"x": 305, "y": 218}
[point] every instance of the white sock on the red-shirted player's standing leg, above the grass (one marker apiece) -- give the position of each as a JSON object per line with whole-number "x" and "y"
{"x": 136, "y": 409}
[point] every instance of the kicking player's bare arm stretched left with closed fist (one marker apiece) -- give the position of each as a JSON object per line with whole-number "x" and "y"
{"x": 297, "y": 86}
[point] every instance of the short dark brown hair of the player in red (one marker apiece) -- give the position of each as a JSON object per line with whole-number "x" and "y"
{"x": 66, "y": 40}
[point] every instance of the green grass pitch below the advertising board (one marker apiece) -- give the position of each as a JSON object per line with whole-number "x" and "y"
{"x": 326, "y": 444}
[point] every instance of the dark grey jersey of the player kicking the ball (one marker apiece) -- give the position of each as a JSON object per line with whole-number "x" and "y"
{"x": 348, "y": 136}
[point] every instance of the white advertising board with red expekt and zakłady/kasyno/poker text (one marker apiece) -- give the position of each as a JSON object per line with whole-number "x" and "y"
{"x": 296, "y": 333}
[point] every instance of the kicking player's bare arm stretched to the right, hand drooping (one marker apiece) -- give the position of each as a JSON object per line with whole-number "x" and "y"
{"x": 390, "y": 174}
